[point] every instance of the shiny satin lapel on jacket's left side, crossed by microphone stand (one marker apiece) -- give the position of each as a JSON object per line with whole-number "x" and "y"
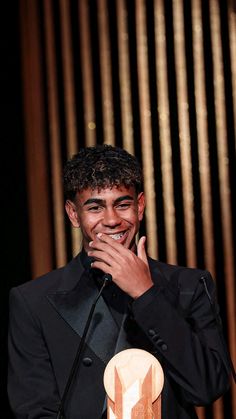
{"x": 74, "y": 307}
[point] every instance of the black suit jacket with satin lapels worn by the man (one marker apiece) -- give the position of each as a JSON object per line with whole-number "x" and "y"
{"x": 173, "y": 320}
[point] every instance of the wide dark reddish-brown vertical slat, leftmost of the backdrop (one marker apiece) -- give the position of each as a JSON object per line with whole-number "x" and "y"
{"x": 35, "y": 141}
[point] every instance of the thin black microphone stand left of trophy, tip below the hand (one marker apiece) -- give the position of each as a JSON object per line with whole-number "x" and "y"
{"x": 107, "y": 278}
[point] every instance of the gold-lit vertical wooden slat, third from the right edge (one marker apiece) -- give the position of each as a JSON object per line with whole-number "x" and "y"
{"x": 202, "y": 135}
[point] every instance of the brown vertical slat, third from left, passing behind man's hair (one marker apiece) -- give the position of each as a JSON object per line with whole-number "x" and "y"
{"x": 69, "y": 97}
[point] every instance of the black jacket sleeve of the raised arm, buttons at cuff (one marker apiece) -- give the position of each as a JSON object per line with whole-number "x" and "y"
{"x": 189, "y": 342}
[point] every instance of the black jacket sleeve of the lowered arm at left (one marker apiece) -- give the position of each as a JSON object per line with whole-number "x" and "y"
{"x": 31, "y": 385}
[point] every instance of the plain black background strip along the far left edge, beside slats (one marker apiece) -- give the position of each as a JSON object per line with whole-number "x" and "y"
{"x": 14, "y": 244}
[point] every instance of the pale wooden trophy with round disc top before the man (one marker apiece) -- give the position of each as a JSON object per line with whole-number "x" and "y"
{"x": 133, "y": 381}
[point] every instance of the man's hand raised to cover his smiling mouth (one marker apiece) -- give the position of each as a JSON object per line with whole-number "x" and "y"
{"x": 130, "y": 272}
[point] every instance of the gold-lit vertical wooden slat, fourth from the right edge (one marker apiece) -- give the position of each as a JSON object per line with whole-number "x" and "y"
{"x": 184, "y": 130}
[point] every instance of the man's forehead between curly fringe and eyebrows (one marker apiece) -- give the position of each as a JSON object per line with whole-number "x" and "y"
{"x": 106, "y": 194}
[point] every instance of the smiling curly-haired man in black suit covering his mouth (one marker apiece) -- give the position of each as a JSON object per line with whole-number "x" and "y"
{"x": 161, "y": 308}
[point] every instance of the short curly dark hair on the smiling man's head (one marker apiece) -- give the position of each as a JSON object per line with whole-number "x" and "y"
{"x": 100, "y": 167}
